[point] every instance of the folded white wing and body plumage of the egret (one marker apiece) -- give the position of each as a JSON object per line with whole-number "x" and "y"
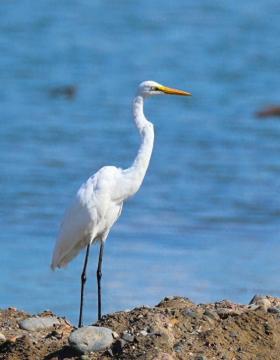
{"x": 91, "y": 214}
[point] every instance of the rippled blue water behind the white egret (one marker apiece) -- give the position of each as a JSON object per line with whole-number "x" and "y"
{"x": 205, "y": 223}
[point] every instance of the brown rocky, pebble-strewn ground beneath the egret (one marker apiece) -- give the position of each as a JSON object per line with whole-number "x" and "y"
{"x": 174, "y": 329}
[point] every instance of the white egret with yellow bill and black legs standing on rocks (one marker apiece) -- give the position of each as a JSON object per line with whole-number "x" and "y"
{"x": 99, "y": 201}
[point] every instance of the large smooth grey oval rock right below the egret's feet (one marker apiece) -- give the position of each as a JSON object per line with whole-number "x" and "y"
{"x": 91, "y": 338}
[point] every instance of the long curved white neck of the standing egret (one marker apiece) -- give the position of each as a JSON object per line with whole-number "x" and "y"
{"x": 136, "y": 173}
